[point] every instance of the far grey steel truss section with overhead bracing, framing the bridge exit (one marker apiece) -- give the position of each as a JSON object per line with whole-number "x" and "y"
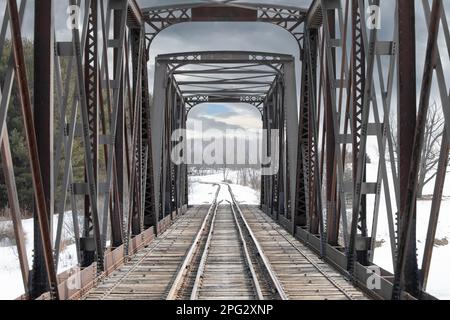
{"x": 176, "y": 76}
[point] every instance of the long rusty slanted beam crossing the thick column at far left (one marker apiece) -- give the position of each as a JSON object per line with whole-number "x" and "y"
{"x": 32, "y": 145}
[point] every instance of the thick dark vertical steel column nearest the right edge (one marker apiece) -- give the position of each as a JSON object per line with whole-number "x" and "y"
{"x": 406, "y": 116}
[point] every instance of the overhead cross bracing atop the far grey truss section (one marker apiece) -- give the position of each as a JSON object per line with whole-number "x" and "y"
{"x": 247, "y": 77}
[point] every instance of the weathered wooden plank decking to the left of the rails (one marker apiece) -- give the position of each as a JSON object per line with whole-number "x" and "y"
{"x": 149, "y": 274}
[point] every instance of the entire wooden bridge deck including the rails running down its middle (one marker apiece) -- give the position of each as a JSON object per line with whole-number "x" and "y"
{"x": 221, "y": 251}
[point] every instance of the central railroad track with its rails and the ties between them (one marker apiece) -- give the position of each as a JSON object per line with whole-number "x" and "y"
{"x": 226, "y": 262}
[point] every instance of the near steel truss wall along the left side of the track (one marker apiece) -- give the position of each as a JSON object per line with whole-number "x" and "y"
{"x": 95, "y": 109}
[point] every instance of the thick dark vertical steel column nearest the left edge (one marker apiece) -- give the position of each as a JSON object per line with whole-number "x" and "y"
{"x": 43, "y": 122}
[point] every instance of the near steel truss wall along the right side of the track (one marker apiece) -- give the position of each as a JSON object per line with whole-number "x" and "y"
{"x": 350, "y": 104}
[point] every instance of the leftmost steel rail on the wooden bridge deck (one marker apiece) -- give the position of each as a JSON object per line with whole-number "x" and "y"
{"x": 178, "y": 281}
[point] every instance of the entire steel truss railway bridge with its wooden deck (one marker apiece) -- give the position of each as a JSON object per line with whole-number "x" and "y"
{"x": 93, "y": 90}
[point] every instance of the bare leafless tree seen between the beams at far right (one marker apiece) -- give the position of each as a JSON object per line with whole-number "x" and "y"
{"x": 431, "y": 149}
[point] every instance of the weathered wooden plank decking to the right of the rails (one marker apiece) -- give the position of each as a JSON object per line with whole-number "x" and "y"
{"x": 302, "y": 274}
